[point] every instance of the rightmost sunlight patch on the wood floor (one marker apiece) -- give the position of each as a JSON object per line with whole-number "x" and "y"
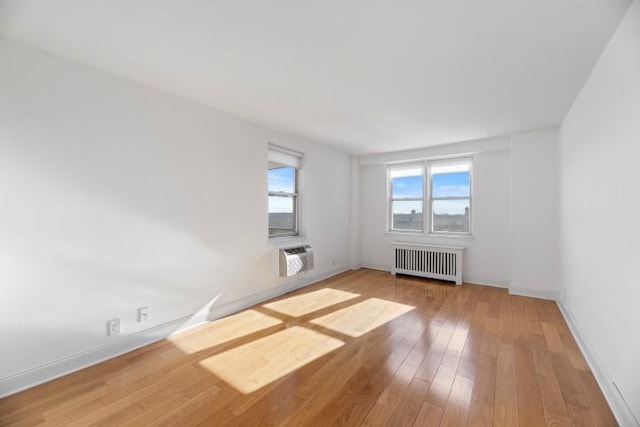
{"x": 363, "y": 317}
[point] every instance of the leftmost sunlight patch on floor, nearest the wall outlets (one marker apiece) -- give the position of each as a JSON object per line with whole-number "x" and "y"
{"x": 224, "y": 330}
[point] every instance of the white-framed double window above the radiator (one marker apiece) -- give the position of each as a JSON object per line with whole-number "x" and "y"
{"x": 442, "y": 188}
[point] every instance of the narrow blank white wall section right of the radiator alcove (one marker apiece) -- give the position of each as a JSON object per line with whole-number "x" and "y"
{"x": 534, "y": 214}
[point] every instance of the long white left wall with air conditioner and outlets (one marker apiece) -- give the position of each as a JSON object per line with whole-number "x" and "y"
{"x": 116, "y": 196}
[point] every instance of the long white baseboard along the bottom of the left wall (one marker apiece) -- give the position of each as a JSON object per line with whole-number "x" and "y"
{"x": 127, "y": 343}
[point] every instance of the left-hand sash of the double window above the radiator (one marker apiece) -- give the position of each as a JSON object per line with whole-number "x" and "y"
{"x": 406, "y": 189}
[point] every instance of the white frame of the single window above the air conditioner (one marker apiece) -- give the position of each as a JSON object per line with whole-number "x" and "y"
{"x": 295, "y": 195}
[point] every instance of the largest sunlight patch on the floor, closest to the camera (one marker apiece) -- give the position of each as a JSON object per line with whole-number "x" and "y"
{"x": 254, "y": 365}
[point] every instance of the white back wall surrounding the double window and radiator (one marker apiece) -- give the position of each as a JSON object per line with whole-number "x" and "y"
{"x": 486, "y": 258}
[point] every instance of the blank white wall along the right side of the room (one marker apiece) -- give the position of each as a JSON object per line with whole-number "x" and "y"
{"x": 600, "y": 211}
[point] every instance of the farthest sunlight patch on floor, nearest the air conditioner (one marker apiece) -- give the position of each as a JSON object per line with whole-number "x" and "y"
{"x": 300, "y": 305}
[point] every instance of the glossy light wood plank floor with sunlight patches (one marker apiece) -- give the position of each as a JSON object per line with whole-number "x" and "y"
{"x": 362, "y": 348}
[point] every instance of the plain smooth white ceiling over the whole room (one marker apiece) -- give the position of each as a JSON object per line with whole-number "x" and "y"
{"x": 364, "y": 75}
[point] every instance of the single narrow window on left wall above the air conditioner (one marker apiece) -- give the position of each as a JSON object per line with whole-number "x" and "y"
{"x": 283, "y": 192}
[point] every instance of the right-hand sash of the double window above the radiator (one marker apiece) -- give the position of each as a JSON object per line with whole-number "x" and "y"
{"x": 450, "y": 191}
